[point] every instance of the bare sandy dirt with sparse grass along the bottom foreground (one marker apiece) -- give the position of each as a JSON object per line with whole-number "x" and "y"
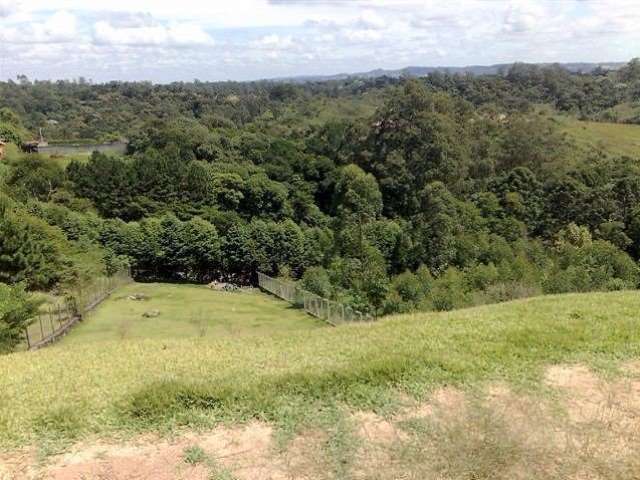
{"x": 585, "y": 428}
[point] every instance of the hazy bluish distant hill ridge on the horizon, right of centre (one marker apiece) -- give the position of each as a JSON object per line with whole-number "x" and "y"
{"x": 471, "y": 69}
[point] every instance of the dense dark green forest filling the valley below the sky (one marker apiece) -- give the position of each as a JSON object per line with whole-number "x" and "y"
{"x": 387, "y": 194}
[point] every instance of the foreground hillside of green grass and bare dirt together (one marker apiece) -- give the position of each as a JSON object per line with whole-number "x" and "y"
{"x": 319, "y": 388}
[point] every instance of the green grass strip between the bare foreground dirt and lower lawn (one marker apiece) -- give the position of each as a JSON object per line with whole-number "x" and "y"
{"x": 110, "y": 387}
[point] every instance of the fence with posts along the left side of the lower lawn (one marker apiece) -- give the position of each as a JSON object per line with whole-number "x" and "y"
{"x": 53, "y": 321}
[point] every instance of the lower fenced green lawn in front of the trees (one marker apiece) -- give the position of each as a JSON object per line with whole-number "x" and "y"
{"x": 187, "y": 311}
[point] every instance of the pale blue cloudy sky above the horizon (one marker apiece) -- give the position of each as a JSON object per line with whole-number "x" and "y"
{"x": 183, "y": 40}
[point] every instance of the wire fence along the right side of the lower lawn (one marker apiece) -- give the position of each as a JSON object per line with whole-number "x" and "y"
{"x": 332, "y": 312}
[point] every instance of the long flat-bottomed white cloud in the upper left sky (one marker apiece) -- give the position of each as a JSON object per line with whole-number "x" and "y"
{"x": 175, "y": 35}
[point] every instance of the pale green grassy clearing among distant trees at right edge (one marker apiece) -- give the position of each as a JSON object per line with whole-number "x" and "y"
{"x": 613, "y": 138}
